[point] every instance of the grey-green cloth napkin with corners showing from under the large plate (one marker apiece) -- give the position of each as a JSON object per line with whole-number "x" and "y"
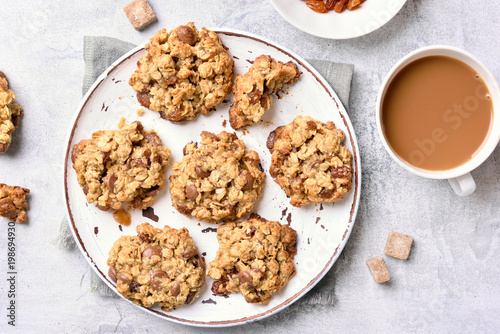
{"x": 100, "y": 52}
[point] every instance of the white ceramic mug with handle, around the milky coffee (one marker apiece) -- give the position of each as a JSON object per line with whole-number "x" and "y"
{"x": 460, "y": 179}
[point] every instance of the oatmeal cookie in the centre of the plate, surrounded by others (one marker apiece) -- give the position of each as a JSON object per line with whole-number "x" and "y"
{"x": 220, "y": 180}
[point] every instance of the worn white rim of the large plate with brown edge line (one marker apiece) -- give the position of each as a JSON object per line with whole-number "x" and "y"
{"x": 338, "y": 250}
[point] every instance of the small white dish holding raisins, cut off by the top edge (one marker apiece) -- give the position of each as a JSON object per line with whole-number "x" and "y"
{"x": 371, "y": 15}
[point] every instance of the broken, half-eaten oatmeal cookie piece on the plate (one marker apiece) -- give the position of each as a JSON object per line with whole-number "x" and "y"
{"x": 252, "y": 90}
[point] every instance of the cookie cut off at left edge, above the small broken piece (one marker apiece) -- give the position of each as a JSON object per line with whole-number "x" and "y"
{"x": 10, "y": 113}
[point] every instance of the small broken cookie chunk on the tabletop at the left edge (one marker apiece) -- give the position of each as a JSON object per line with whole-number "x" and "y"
{"x": 13, "y": 203}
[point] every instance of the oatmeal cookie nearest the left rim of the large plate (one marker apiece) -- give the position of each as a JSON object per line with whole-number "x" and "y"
{"x": 121, "y": 166}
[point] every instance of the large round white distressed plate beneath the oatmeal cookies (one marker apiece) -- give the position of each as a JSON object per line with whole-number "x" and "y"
{"x": 322, "y": 230}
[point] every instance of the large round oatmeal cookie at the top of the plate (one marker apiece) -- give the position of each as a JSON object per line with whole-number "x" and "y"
{"x": 183, "y": 73}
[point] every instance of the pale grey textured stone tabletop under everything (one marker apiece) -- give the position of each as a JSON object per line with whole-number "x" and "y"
{"x": 449, "y": 284}
